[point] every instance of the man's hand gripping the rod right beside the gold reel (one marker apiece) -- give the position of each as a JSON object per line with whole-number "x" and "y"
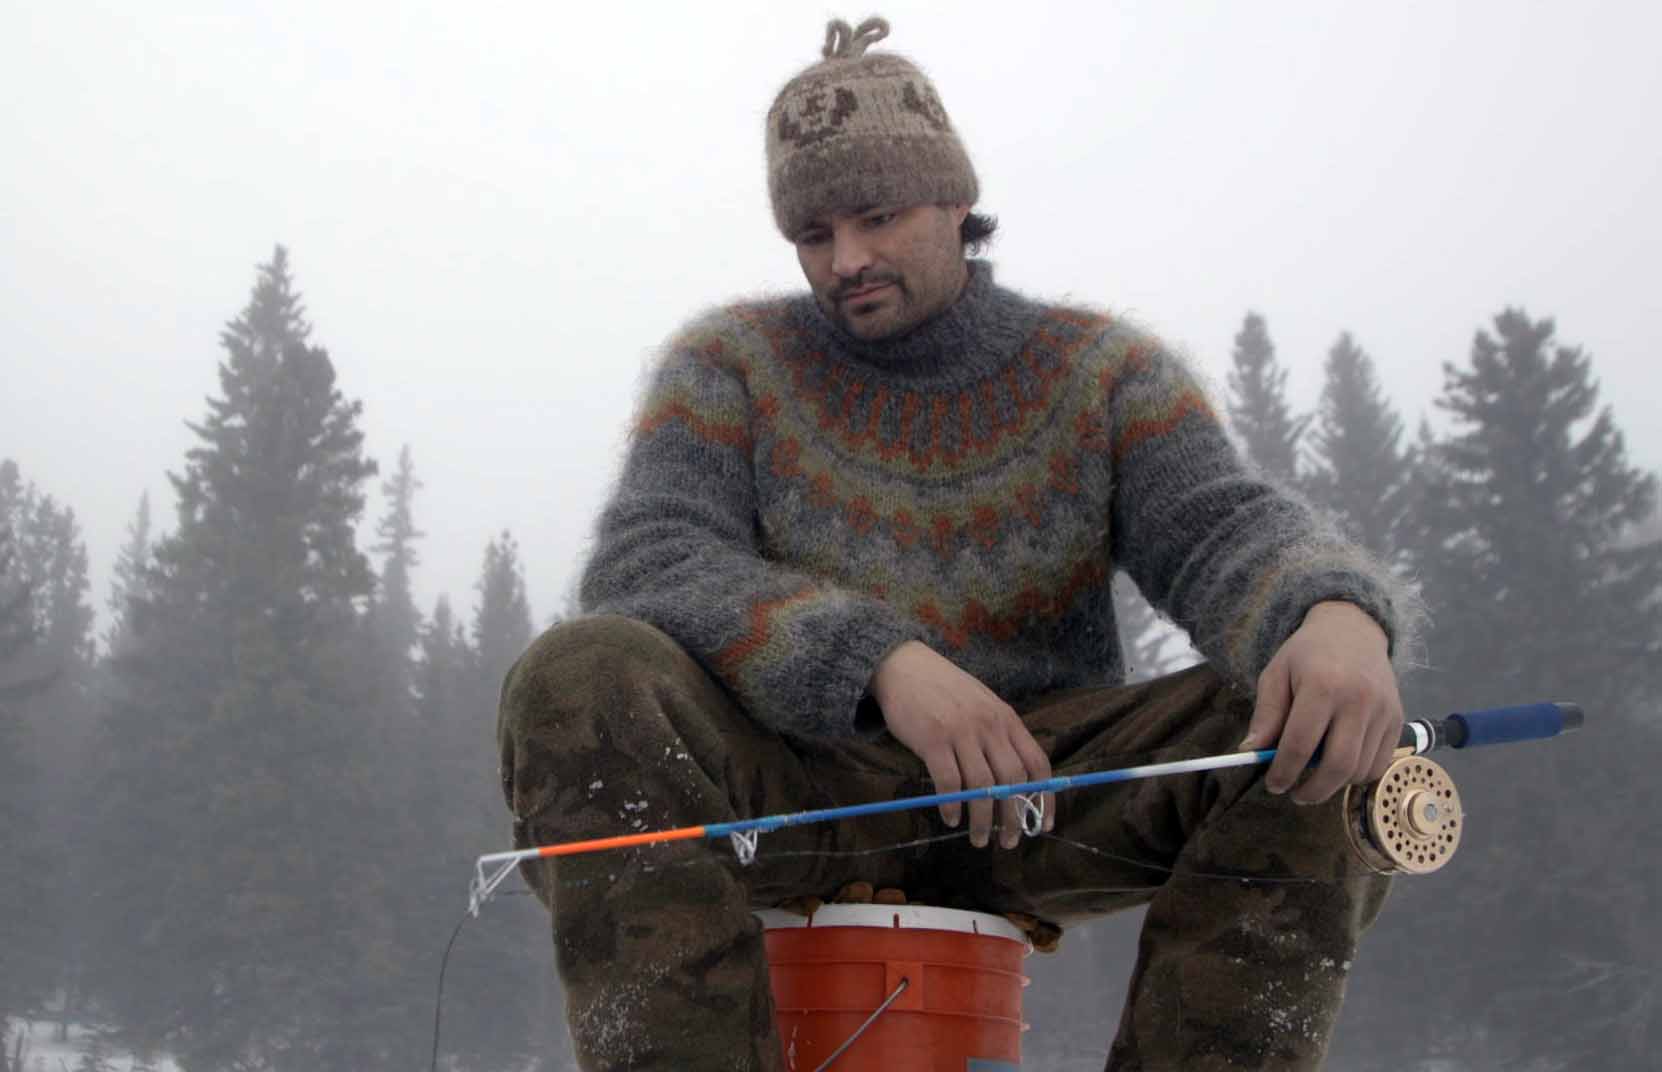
{"x": 1330, "y": 686}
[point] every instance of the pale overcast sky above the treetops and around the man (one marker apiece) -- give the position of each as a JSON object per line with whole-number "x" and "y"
{"x": 498, "y": 212}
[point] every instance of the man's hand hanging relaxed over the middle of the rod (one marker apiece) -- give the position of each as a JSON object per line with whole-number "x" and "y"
{"x": 965, "y": 735}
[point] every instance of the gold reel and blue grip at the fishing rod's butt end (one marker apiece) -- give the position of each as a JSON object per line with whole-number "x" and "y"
{"x": 1412, "y": 820}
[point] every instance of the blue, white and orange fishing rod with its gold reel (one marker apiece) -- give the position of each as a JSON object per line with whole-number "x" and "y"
{"x": 1407, "y": 824}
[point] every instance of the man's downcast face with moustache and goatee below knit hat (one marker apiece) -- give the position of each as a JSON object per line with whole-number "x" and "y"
{"x": 885, "y": 270}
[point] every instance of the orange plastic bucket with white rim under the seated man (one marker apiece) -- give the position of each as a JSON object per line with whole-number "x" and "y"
{"x": 960, "y": 1011}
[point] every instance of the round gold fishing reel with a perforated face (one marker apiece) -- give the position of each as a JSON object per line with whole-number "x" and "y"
{"x": 1409, "y": 822}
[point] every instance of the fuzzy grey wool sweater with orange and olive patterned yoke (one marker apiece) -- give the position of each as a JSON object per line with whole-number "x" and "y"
{"x": 797, "y": 503}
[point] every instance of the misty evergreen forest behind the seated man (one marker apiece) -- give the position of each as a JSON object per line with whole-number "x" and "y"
{"x": 240, "y": 819}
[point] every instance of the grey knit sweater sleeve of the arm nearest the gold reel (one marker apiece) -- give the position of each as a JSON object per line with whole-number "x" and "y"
{"x": 1229, "y": 556}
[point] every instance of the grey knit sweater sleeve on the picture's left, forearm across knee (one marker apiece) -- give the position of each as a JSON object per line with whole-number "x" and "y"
{"x": 679, "y": 548}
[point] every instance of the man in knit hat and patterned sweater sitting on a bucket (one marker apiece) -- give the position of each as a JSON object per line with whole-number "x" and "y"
{"x": 862, "y": 548}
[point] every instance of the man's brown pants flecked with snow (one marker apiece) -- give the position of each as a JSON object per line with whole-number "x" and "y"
{"x": 607, "y": 727}
